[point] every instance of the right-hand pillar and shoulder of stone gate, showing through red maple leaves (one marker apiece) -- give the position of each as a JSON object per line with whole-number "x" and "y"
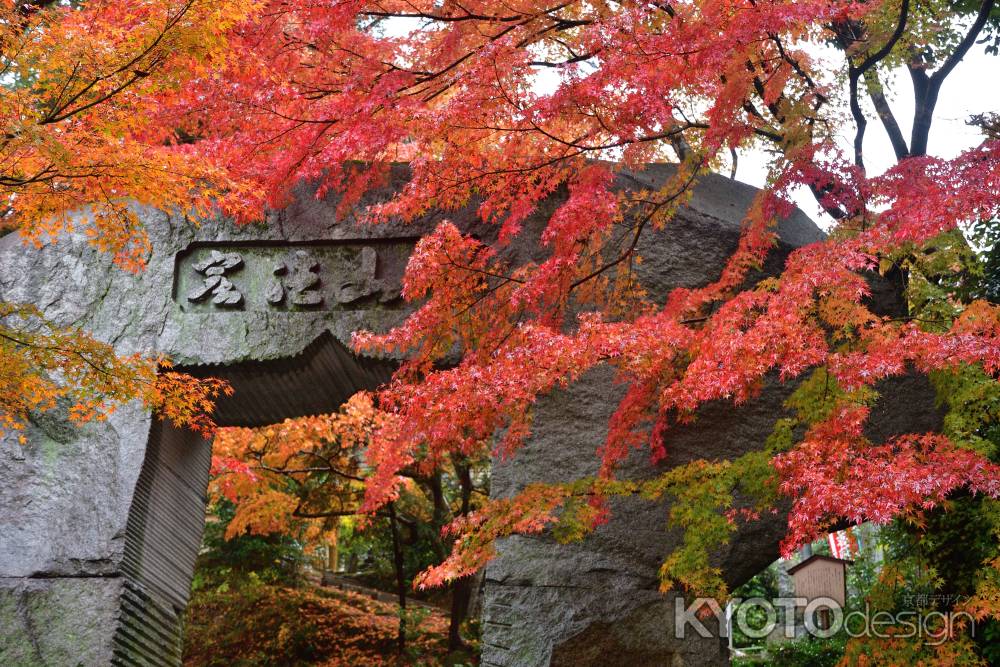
{"x": 578, "y": 604}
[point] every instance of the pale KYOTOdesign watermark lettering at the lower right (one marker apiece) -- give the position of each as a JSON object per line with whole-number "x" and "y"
{"x": 757, "y": 618}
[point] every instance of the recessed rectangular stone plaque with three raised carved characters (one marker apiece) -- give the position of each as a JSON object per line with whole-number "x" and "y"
{"x": 344, "y": 275}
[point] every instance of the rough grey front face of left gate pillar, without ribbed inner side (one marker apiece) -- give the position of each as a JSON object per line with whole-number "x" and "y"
{"x": 66, "y": 495}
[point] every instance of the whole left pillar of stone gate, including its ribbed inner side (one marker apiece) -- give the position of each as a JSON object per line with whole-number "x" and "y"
{"x": 98, "y": 547}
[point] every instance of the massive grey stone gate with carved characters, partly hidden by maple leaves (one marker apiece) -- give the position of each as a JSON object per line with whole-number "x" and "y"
{"x": 100, "y": 524}
